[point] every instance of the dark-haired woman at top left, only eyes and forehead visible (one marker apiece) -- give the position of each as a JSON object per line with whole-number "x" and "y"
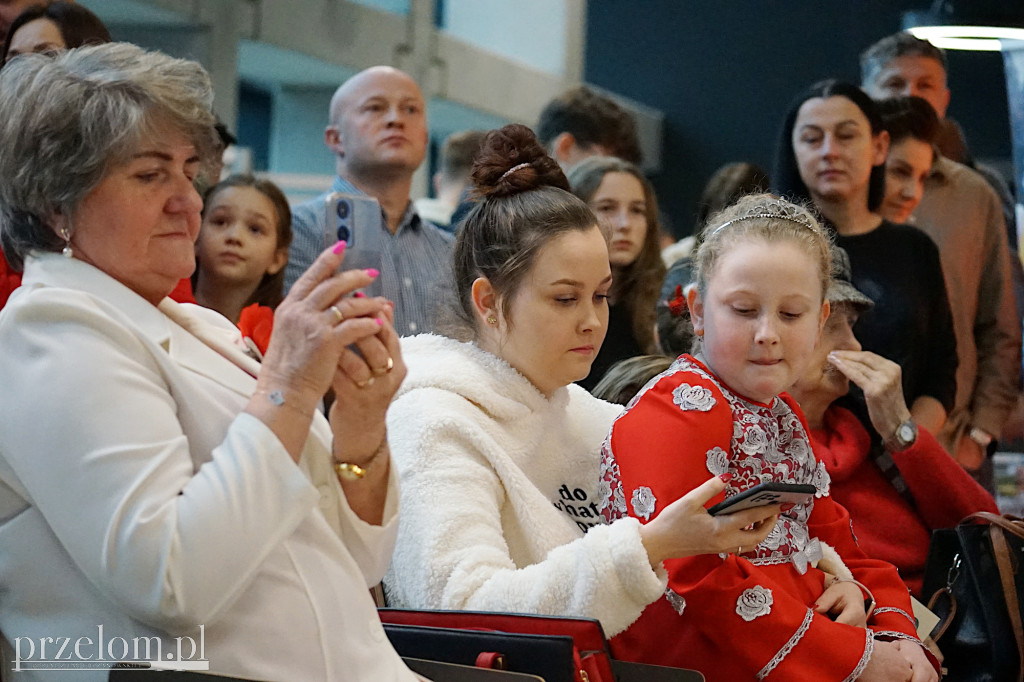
{"x": 55, "y": 26}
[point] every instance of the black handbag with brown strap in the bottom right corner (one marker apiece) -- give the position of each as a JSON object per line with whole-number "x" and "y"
{"x": 975, "y": 577}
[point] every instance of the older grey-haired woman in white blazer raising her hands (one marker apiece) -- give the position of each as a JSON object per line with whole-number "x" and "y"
{"x": 156, "y": 482}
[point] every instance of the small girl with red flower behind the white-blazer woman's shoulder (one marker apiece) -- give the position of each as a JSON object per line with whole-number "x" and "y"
{"x": 241, "y": 254}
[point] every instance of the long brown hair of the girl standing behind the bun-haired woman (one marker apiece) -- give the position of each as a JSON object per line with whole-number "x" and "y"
{"x": 637, "y": 285}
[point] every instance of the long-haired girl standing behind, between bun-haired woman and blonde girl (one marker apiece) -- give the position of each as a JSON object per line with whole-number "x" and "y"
{"x": 624, "y": 201}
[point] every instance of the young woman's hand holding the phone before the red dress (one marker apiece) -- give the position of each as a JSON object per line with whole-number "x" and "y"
{"x": 686, "y": 529}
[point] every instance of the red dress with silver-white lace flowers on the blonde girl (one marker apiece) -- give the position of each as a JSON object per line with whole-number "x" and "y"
{"x": 748, "y": 617}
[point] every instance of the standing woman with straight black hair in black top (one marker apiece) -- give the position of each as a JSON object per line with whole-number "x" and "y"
{"x": 832, "y": 152}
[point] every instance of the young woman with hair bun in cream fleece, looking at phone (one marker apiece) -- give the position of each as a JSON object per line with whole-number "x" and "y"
{"x": 498, "y": 450}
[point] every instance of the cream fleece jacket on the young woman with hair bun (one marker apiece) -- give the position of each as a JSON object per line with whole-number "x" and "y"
{"x": 499, "y": 487}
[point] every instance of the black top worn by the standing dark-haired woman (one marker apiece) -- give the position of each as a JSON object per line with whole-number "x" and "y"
{"x": 899, "y": 268}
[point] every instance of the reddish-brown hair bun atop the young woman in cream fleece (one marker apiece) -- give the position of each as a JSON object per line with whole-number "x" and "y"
{"x": 511, "y": 160}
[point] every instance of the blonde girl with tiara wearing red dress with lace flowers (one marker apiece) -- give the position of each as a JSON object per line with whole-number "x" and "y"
{"x": 758, "y": 310}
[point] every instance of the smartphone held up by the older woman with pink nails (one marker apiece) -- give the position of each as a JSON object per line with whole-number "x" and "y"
{"x": 357, "y": 220}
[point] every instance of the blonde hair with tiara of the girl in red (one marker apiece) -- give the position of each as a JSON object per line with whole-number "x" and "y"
{"x": 767, "y": 219}
